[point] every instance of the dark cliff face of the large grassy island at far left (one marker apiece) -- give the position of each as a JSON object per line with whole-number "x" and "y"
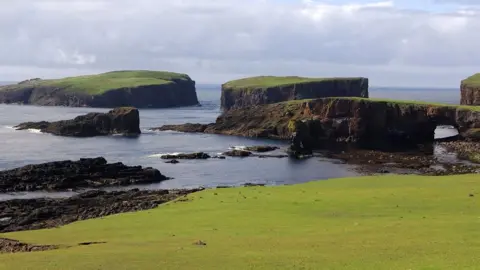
{"x": 179, "y": 93}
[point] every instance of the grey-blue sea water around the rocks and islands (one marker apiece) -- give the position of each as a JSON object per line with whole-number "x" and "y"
{"x": 19, "y": 148}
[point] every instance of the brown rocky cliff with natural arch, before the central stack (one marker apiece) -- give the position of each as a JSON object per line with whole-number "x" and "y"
{"x": 368, "y": 122}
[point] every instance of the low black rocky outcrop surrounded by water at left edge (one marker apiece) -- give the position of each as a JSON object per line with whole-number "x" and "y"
{"x": 84, "y": 173}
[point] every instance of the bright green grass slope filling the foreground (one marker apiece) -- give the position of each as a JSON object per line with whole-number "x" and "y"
{"x": 384, "y": 222}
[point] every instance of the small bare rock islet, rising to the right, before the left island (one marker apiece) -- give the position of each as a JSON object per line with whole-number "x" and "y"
{"x": 124, "y": 120}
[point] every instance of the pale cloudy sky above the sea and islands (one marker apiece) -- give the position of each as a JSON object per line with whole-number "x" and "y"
{"x": 423, "y": 43}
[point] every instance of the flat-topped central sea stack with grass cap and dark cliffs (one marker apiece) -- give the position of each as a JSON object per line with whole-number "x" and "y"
{"x": 270, "y": 89}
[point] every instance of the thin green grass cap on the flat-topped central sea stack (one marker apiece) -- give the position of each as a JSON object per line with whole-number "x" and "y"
{"x": 260, "y": 82}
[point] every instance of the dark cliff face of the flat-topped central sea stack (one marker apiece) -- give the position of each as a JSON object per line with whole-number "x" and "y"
{"x": 236, "y": 97}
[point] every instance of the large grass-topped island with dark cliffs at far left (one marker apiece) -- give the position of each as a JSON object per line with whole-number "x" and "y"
{"x": 140, "y": 88}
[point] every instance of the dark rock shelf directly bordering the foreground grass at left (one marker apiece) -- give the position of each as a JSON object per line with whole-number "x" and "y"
{"x": 33, "y": 214}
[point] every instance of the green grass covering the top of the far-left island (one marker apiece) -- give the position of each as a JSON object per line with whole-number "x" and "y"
{"x": 101, "y": 83}
